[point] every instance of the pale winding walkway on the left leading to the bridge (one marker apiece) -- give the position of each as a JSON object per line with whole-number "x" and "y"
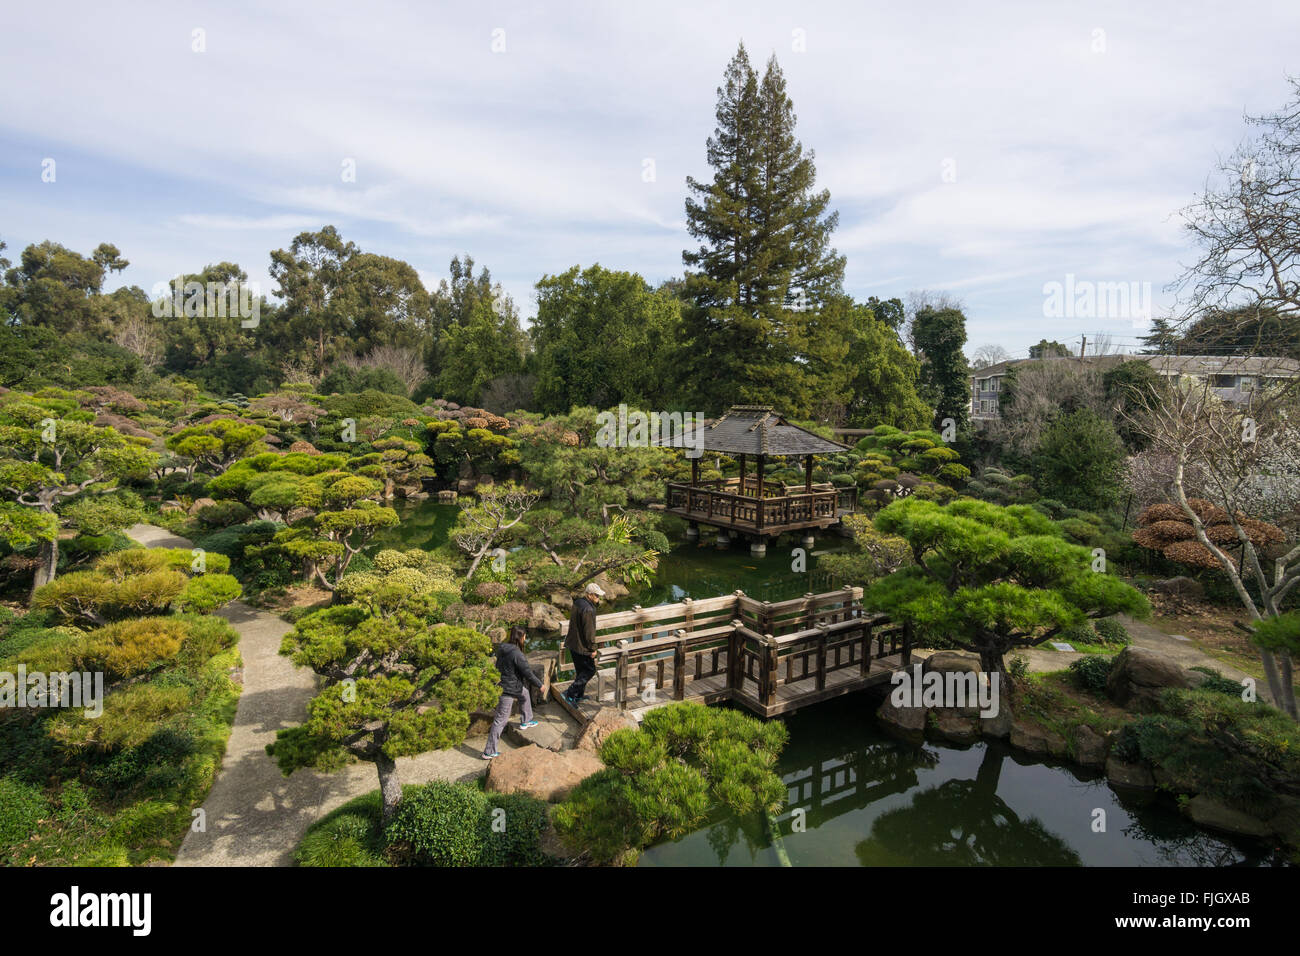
{"x": 255, "y": 816}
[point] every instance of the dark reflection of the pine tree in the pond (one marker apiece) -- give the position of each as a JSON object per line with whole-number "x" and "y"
{"x": 964, "y": 824}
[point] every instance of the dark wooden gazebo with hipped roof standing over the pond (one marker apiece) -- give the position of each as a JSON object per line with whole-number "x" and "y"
{"x": 751, "y": 505}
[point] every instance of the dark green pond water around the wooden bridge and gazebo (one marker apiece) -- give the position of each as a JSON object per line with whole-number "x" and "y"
{"x": 859, "y": 797}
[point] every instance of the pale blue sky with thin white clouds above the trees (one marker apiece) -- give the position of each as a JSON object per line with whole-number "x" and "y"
{"x": 983, "y": 150}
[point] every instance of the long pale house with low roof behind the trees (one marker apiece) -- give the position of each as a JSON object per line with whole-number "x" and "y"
{"x": 1233, "y": 378}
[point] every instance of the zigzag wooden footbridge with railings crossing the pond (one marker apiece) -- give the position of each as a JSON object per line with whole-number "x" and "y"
{"x": 770, "y": 657}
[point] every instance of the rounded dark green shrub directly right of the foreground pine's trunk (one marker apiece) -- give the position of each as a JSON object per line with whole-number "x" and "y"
{"x": 439, "y": 825}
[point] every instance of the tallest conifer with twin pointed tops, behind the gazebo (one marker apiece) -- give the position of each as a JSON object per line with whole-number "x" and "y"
{"x": 765, "y": 272}
